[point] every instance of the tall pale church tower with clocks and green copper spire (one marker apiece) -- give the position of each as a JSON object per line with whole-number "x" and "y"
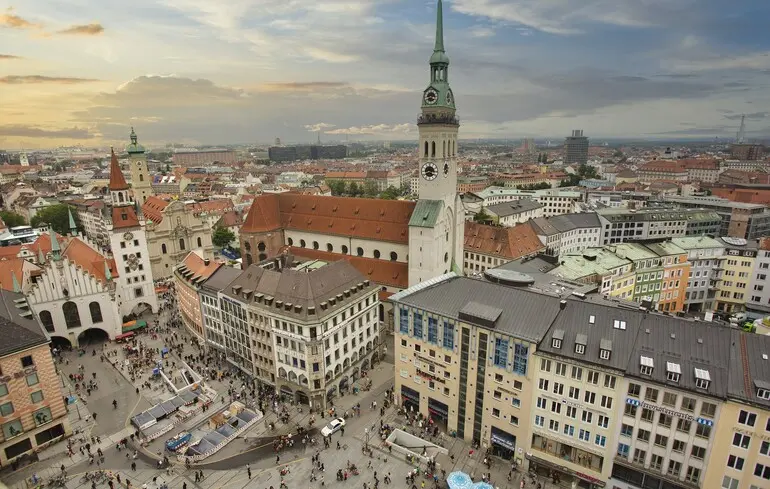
{"x": 436, "y": 229}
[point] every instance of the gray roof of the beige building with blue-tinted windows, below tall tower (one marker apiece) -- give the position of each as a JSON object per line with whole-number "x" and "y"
{"x": 525, "y": 314}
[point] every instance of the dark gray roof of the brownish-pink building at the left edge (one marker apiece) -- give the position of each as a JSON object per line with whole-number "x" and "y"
{"x": 18, "y": 332}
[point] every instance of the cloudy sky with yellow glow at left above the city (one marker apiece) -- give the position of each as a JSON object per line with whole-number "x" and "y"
{"x": 83, "y": 72}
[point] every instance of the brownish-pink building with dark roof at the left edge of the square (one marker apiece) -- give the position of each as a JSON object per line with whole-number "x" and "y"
{"x": 32, "y": 411}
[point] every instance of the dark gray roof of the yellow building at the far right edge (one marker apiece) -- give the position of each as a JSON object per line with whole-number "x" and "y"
{"x": 756, "y": 351}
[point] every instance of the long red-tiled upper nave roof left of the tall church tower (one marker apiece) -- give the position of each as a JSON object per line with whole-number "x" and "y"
{"x": 377, "y": 219}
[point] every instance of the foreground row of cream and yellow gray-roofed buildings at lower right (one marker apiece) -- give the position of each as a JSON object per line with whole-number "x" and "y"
{"x": 593, "y": 392}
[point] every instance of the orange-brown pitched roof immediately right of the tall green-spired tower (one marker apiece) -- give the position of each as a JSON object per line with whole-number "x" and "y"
{"x": 507, "y": 242}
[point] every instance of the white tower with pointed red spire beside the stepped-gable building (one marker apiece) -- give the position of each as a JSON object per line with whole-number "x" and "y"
{"x": 128, "y": 243}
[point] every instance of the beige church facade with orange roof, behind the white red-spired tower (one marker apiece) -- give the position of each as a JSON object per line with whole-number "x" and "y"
{"x": 172, "y": 232}
